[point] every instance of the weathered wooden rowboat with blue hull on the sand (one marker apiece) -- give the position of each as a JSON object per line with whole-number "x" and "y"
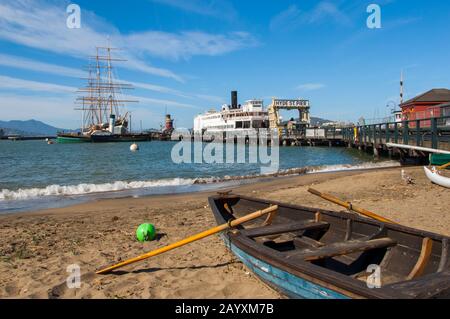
{"x": 312, "y": 253}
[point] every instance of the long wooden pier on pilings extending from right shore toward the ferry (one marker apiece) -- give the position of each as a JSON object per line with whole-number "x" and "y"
{"x": 408, "y": 140}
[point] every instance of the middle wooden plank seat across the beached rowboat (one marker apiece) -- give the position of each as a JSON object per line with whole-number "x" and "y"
{"x": 341, "y": 248}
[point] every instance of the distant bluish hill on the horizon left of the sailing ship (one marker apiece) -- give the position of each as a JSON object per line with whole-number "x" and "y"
{"x": 28, "y": 128}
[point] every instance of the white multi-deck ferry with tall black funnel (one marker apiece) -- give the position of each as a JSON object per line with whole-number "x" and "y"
{"x": 233, "y": 118}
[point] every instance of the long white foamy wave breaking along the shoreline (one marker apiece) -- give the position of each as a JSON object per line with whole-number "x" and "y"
{"x": 84, "y": 189}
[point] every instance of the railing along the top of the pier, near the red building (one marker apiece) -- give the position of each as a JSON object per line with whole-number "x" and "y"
{"x": 429, "y": 132}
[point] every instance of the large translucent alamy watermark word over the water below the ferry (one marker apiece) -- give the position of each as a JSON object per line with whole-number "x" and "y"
{"x": 262, "y": 148}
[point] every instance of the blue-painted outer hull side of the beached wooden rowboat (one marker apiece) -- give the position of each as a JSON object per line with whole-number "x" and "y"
{"x": 282, "y": 281}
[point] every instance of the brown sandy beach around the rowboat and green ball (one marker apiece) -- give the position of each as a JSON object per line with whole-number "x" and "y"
{"x": 37, "y": 247}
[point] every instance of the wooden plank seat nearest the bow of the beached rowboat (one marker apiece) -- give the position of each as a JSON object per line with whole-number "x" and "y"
{"x": 284, "y": 228}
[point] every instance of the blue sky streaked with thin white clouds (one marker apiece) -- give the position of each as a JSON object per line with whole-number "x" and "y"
{"x": 187, "y": 55}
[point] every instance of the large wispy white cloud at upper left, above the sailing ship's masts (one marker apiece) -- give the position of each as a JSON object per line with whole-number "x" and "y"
{"x": 42, "y": 25}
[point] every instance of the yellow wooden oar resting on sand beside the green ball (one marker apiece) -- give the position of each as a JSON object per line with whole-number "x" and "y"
{"x": 191, "y": 239}
